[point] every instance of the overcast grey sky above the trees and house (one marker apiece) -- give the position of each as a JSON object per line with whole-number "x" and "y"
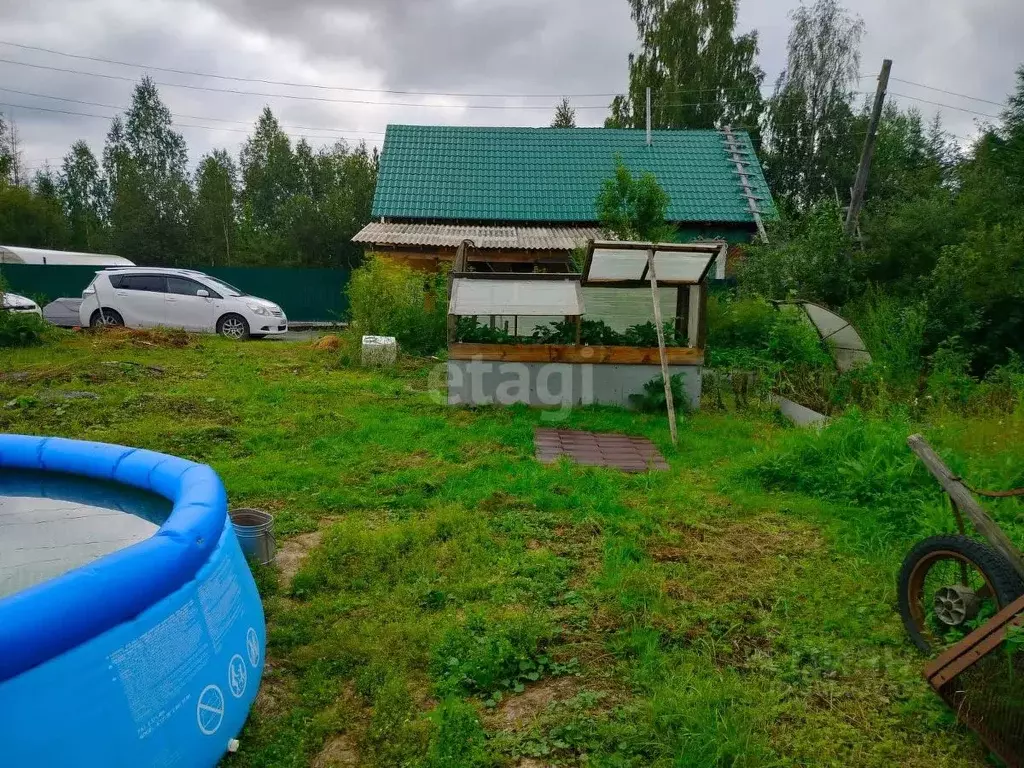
{"x": 531, "y": 48}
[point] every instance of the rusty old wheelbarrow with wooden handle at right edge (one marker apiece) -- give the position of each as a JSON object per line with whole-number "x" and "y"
{"x": 963, "y": 603}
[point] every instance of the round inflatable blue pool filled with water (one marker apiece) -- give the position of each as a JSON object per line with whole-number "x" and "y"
{"x": 132, "y": 632}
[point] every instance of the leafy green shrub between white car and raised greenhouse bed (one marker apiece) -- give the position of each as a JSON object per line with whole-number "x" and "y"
{"x": 391, "y": 300}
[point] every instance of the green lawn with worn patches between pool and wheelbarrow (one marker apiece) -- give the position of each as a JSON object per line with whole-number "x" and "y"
{"x": 457, "y": 604}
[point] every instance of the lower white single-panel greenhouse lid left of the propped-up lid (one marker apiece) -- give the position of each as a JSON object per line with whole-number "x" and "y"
{"x": 537, "y": 295}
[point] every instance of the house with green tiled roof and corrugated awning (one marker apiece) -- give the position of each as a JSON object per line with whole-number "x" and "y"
{"x": 526, "y": 197}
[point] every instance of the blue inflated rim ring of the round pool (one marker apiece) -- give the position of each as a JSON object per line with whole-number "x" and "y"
{"x": 50, "y": 619}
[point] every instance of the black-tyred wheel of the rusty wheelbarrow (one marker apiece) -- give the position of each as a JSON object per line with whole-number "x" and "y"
{"x": 949, "y": 586}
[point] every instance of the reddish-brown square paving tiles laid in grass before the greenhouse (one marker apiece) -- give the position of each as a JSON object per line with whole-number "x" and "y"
{"x": 595, "y": 450}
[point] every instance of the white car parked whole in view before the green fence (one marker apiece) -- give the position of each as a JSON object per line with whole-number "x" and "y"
{"x": 141, "y": 297}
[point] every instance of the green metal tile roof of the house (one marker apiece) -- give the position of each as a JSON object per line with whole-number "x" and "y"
{"x": 554, "y": 175}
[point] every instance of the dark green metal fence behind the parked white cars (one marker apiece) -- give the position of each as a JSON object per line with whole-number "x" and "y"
{"x": 304, "y": 294}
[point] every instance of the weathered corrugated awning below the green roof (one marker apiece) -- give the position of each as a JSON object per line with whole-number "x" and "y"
{"x": 492, "y": 238}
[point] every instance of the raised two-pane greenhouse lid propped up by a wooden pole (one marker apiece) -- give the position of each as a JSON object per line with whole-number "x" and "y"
{"x": 624, "y": 265}
